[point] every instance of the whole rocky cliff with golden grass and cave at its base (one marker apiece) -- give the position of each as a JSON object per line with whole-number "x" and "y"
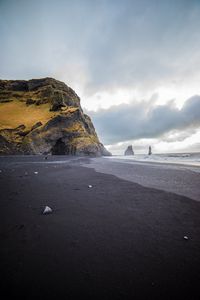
{"x": 44, "y": 116}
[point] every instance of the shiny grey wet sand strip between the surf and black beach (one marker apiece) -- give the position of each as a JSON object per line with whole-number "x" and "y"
{"x": 183, "y": 180}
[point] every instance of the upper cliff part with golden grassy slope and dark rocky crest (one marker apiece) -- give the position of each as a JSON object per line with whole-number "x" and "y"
{"x": 35, "y": 100}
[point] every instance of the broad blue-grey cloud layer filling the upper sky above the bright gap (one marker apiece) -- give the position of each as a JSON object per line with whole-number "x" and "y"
{"x": 137, "y": 44}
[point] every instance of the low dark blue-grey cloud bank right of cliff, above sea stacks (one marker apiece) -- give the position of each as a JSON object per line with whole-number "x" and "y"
{"x": 145, "y": 120}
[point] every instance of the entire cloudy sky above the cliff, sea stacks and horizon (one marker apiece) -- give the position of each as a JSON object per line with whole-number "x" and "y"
{"x": 135, "y": 64}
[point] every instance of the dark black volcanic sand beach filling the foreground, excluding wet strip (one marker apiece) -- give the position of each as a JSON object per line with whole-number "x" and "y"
{"x": 116, "y": 240}
